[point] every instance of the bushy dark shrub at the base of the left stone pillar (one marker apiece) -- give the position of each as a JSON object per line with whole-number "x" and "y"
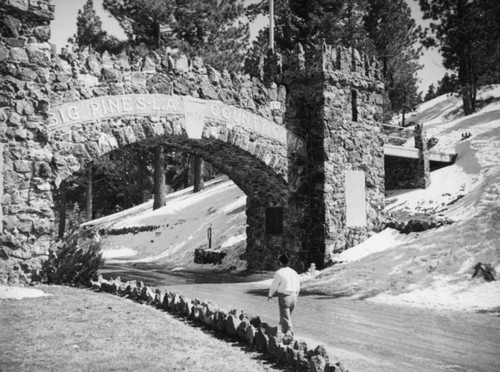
{"x": 73, "y": 263}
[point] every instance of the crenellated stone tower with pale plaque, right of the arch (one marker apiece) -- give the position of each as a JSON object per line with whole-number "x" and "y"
{"x": 333, "y": 98}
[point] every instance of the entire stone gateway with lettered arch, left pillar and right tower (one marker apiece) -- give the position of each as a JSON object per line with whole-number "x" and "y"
{"x": 300, "y": 138}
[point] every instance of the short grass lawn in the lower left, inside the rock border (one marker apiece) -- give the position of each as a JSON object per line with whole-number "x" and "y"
{"x": 79, "y": 330}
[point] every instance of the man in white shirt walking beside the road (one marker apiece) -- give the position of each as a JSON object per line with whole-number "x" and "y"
{"x": 286, "y": 283}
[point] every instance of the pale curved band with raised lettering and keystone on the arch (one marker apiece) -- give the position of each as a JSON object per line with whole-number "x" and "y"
{"x": 195, "y": 111}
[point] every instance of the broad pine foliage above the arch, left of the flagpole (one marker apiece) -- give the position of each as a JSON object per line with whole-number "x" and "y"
{"x": 211, "y": 29}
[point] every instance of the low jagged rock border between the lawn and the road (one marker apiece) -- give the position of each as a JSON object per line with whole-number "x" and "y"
{"x": 295, "y": 355}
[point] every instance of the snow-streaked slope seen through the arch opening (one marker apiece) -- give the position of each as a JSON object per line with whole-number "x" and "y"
{"x": 180, "y": 227}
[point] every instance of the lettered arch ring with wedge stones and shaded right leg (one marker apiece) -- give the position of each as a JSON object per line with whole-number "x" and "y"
{"x": 251, "y": 150}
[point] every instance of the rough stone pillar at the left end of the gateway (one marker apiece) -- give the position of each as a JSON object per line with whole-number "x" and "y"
{"x": 25, "y": 58}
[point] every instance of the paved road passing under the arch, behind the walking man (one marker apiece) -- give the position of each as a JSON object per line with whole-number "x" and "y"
{"x": 363, "y": 335}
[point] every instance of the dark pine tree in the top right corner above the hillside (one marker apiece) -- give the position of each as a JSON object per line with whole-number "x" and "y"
{"x": 468, "y": 37}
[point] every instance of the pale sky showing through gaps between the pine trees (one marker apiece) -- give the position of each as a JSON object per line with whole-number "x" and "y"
{"x": 64, "y": 26}
